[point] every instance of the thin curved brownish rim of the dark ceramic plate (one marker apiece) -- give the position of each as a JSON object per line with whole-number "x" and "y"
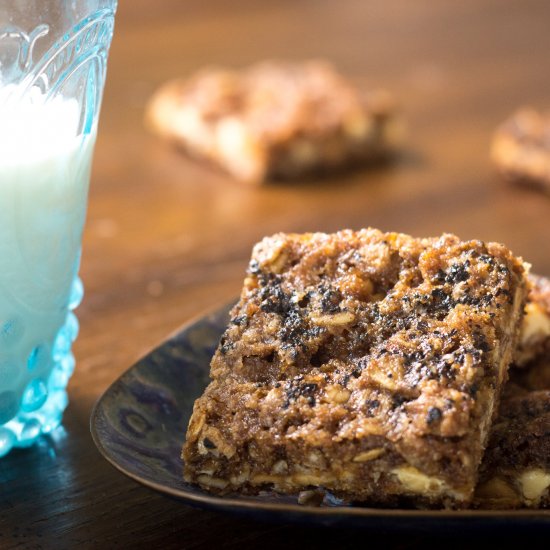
{"x": 206, "y": 500}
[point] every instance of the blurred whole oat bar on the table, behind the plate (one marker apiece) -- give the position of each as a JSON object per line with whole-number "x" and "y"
{"x": 275, "y": 119}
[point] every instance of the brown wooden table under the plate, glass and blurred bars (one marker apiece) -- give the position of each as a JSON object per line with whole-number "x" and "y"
{"x": 167, "y": 238}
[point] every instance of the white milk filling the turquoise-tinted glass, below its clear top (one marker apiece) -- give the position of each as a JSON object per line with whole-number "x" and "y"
{"x": 44, "y": 175}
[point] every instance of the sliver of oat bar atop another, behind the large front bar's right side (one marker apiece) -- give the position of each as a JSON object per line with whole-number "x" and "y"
{"x": 535, "y": 330}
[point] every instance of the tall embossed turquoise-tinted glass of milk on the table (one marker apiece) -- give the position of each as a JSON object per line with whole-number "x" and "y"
{"x": 53, "y": 56}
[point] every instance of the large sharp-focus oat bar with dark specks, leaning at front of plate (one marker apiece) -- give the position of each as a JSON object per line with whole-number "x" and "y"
{"x": 365, "y": 363}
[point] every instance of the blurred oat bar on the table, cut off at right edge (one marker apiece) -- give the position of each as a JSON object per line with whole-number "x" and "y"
{"x": 521, "y": 149}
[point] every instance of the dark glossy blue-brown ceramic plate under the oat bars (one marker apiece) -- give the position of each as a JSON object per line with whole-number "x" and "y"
{"x": 139, "y": 426}
